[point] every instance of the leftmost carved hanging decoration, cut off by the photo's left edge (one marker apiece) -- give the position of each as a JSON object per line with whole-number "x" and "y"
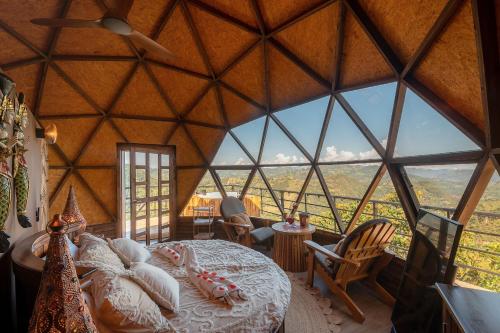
{"x": 7, "y": 109}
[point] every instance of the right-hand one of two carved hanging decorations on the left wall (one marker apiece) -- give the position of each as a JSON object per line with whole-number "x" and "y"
{"x": 19, "y": 165}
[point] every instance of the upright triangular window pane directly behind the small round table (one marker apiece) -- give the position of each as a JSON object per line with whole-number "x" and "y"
{"x": 315, "y": 203}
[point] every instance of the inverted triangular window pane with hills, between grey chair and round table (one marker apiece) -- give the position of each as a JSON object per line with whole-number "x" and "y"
{"x": 286, "y": 182}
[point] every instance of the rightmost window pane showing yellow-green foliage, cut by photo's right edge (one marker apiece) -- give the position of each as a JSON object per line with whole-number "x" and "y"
{"x": 479, "y": 244}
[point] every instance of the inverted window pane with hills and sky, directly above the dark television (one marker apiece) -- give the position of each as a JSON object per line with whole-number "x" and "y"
{"x": 440, "y": 187}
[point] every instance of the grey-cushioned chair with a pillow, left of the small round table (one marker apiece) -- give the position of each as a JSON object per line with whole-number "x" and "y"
{"x": 244, "y": 234}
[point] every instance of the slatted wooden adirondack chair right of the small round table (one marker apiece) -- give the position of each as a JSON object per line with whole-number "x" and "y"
{"x": 360, "y": 256}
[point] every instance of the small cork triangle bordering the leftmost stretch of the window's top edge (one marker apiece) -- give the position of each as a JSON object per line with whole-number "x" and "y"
{"x": 237, "y": 109}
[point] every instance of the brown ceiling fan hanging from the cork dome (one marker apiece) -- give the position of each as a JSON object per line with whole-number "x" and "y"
{"x": 114, "y": 20}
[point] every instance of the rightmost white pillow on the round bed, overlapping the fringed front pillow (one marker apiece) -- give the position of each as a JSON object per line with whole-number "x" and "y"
{"x": 157, "y": 283}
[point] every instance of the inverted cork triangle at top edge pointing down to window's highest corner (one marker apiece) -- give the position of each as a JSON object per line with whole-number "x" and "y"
{"x": 404, "y": 24}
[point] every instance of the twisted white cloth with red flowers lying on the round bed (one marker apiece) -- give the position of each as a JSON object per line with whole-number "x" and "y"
{"x": 210, "y": 284}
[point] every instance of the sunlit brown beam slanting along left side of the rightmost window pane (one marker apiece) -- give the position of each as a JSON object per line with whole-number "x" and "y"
{"x": 475, "y": 189}
